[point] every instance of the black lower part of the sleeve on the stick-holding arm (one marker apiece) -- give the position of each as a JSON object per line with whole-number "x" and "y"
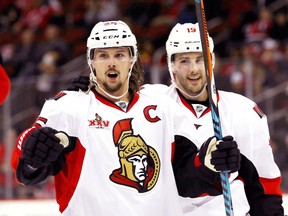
{"x": 193, "y": 180}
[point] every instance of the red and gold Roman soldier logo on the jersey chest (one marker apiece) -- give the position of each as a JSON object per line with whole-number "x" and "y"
{"x": 139, "y": 162}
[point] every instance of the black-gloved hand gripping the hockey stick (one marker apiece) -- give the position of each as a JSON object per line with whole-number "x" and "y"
{"x": 221, "y": 155}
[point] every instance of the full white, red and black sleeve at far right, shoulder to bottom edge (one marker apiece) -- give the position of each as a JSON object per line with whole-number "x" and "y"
{"x": 259, "y": 171}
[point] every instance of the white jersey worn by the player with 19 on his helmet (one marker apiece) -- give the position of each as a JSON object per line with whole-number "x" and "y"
{"x": 241, "y": 118}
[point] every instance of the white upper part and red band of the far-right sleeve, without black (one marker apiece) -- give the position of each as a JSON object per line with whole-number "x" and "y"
{"x": 256, "y": 138}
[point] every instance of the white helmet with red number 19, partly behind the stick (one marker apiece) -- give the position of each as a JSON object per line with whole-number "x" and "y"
{"x": 184, "y": 38}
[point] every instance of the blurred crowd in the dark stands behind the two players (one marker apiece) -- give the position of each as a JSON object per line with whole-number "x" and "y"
{"x": 38, "y": 37}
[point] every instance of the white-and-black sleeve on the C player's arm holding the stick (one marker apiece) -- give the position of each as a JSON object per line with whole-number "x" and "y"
{"x": 193, "y": 179}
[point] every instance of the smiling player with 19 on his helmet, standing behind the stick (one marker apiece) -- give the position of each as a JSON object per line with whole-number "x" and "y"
{"x": 256, "y": 187}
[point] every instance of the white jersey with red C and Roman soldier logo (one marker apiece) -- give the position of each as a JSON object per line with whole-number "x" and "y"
{"x": 98, "y": 178}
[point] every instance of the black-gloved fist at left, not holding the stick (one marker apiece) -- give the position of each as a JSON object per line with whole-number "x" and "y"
{"x": 41, "y": 147}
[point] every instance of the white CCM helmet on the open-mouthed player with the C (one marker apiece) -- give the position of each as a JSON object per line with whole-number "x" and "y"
{"x": 110, "y": 34}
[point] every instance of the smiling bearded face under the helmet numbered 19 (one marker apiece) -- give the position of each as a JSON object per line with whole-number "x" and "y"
{"x": 189, "y": 72}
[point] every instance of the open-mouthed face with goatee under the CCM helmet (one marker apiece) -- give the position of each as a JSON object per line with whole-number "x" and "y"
{"x": 112, "y": 66}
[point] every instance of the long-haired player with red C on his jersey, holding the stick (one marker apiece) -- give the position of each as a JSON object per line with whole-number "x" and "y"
{"x": 118, "y": 142}
